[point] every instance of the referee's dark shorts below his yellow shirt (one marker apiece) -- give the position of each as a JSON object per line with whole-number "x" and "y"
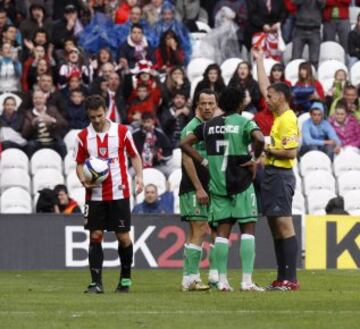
{"x": 277, "y": 191}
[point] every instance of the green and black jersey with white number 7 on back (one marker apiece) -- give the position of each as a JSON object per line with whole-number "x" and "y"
{"x": 227, "y": 140}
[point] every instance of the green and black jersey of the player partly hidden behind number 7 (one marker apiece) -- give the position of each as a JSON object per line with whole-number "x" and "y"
{"x": 186, "y": 184}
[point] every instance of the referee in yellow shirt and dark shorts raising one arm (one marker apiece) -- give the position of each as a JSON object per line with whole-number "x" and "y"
{"x": 278, "y": 185}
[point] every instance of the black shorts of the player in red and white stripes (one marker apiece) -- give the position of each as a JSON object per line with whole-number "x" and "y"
{"x": 108, "y": 215}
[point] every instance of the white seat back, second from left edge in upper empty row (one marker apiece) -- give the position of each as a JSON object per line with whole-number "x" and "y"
{"x": 45, "y": 159}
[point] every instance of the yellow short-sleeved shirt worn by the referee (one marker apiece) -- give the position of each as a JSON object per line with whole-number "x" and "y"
{"x": 284, "y": 135}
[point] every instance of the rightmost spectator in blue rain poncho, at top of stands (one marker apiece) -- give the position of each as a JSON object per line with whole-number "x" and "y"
{"x": 168, "y": 22}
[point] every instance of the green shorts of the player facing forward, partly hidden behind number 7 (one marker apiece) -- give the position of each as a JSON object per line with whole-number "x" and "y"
{"x": 191, "y": 209}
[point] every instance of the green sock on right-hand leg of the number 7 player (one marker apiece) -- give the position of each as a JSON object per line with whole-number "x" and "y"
{"x": 247, "y": 253}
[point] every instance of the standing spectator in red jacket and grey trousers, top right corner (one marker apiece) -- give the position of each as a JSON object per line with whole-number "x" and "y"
{"x": 336, "y": 21}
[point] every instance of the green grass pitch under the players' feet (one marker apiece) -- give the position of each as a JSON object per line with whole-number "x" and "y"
{"x": 55, "y": 299}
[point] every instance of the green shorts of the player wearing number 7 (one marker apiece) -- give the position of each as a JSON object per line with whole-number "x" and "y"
{"x": 241, "y": 207}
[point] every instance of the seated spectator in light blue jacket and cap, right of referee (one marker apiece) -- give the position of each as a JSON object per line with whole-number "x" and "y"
{"x": 318, "y": 134}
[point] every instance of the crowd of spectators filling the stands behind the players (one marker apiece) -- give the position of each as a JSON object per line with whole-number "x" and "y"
{"x": 138, "y": 54}
